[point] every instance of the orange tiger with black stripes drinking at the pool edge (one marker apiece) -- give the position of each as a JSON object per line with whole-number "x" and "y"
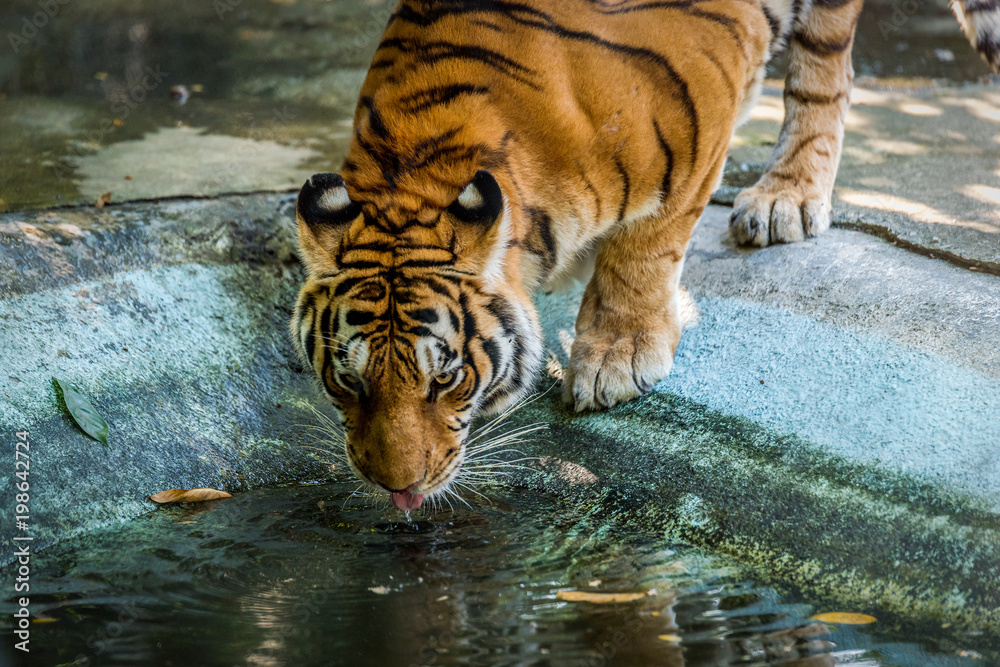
{"x": 497, "y": 144}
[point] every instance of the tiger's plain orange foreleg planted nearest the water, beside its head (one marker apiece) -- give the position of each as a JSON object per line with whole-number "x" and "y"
{"x": 629, "y": 323}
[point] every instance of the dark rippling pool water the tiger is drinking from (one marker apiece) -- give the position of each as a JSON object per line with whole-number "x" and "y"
{"x": 311, "y": 575}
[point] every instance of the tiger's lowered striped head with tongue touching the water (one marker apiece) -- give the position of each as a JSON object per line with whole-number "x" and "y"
{"x": 413, "y": 315}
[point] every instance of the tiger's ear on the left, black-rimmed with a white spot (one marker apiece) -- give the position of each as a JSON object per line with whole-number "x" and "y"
{"x": 324, "y": 210}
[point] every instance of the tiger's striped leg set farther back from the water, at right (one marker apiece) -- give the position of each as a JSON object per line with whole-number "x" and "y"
{"x": 792, "y": 200}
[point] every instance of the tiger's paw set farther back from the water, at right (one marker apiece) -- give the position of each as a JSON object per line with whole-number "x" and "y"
{"x": 775, "y": 211}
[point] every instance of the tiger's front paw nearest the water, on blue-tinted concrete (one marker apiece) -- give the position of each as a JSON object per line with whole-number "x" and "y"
{"x": 607, "y": 370}
